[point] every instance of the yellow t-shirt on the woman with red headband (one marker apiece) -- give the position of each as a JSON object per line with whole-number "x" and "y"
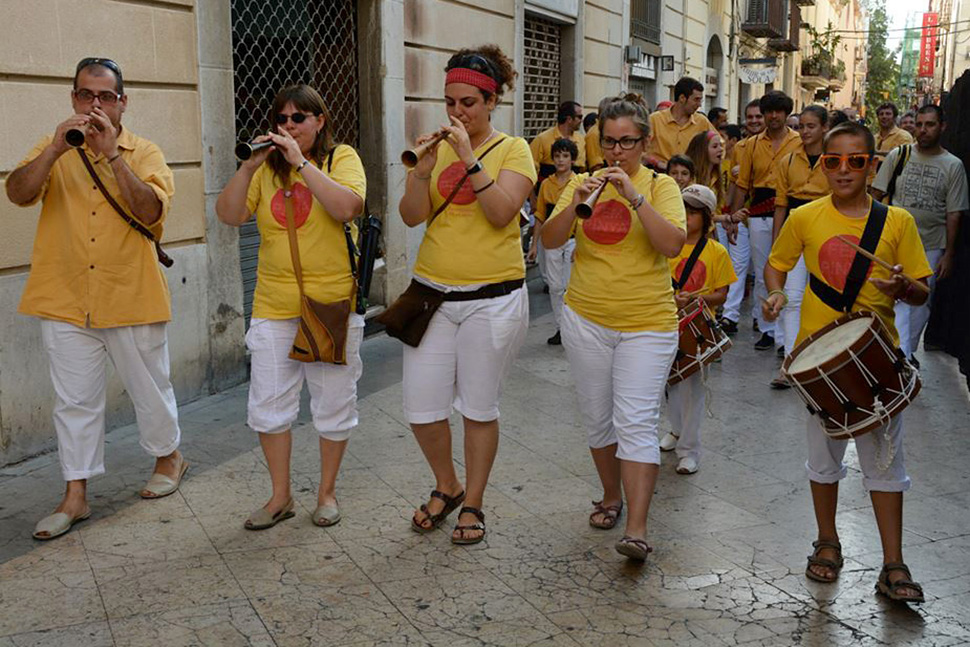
{"x": 461, "y": 247}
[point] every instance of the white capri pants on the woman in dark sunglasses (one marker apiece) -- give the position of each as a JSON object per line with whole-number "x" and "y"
{"x": 276, "y": 381}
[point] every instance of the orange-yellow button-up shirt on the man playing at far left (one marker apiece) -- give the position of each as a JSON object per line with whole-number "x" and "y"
{"x": 89, "y": 267}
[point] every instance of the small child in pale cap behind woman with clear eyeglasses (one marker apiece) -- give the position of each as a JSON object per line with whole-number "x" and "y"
{"x": 702, "y": 271}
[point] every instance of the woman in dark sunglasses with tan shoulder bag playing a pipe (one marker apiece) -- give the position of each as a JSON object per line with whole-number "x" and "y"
{"x": 319, "y": 186}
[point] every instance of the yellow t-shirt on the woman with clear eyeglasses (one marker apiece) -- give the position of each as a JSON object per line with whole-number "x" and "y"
{"x": 618, "y": 279}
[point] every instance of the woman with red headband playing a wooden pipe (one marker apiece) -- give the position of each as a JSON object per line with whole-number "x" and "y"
{"x": 468, "y": 191}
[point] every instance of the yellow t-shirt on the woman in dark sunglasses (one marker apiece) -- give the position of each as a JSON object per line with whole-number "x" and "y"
{"x": 323, "y": 245}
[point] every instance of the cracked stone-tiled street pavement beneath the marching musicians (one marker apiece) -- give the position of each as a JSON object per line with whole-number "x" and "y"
{"x": 730, "y": 541}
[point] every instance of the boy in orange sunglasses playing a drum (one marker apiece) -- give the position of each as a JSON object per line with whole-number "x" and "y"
{"x": 813, "y": 230}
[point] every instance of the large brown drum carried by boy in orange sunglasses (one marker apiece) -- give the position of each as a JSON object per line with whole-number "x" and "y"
{"x": 851, "y": 375}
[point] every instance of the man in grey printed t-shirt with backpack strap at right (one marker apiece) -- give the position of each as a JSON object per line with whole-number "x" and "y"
{"x": 933, "y": 187}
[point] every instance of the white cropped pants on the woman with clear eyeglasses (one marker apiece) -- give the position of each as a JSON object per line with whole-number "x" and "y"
{"x": 620, "y": 379}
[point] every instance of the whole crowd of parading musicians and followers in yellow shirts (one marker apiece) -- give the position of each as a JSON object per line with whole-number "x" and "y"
{"x": 671, "y": 209}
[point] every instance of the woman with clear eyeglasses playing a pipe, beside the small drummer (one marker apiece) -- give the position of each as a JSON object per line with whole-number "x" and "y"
{"x": 619, "y": 322}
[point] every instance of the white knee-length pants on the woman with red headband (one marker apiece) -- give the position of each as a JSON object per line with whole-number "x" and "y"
{"x": 463, "y": 358}
